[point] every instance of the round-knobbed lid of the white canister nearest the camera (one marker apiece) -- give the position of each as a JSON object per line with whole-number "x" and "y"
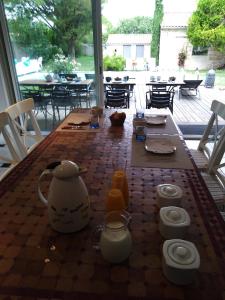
{"x": 181, "y": 254}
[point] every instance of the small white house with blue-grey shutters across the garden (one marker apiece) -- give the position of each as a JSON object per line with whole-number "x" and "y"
{"x": 135, "y": 48}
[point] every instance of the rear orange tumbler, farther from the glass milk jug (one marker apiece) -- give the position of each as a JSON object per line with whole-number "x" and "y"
{"x": 119, "y": 181}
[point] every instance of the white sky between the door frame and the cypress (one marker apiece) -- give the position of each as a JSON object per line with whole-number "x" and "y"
{"x": 115, "y": 10}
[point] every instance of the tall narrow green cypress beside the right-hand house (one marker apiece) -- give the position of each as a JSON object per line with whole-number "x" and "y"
{"x": 157, "y": 19}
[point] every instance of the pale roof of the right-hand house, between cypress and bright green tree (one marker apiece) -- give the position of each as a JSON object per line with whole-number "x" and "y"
{"x": 175, "y": 20}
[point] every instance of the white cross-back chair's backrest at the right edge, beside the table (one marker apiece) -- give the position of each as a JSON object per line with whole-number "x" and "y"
{"x": 212, "y": 142}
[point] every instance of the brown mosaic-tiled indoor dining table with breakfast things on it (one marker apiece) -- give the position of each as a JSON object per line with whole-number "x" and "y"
{"x": 38, "y": 262}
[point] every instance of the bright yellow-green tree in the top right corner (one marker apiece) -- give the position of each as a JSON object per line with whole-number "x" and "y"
{"x": 207, "y": 24}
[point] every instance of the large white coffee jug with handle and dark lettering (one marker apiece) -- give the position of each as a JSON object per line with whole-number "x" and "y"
{"x": 68, "y": 200}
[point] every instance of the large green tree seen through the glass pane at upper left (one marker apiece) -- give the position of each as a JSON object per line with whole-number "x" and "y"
{"x": 68, "y": 21}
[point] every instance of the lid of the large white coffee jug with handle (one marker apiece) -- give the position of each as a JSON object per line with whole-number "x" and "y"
{"x": 66, "y": 169}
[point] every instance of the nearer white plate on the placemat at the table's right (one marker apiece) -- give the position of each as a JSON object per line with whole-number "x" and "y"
{"x": 159, "y": 146}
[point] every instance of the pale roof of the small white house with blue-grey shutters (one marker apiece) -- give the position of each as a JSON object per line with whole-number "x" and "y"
{"x": 128, "y": 39}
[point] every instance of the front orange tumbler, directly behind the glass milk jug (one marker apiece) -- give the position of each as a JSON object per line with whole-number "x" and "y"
{"x": 115, "y": 200}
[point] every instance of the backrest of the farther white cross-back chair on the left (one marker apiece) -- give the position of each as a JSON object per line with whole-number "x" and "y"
{"x": 21, "y": 113}
